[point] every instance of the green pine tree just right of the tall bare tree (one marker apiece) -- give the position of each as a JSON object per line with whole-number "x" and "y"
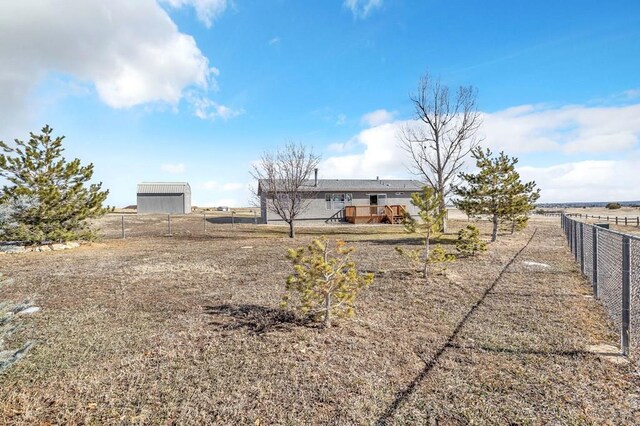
{"x": 496, "y": 191}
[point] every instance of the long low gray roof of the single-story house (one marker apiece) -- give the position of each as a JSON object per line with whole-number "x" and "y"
{"x": 357, "y": 185}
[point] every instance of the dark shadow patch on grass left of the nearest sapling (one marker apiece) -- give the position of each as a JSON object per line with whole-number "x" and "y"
{"x": 254, "y": 318}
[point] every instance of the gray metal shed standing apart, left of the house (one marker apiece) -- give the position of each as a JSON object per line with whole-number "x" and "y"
{"x": 164, "y": 197}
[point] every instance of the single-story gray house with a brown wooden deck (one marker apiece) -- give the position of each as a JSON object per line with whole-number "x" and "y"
{"x": 350, "y": 200}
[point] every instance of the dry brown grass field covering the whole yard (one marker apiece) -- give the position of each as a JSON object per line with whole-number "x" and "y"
{"x": 186, "y": 330}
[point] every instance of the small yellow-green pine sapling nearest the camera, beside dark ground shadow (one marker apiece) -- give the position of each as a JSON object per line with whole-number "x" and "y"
{"x": 325, "y": 280}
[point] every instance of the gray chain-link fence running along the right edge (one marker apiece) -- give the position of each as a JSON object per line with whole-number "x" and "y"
{"x": 611, "y": 262}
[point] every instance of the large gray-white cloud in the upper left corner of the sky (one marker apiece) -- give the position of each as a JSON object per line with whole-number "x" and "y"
{"x": 131, "y": 52}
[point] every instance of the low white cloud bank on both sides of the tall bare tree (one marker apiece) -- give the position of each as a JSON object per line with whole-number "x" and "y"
{"x": 559, "y": 133}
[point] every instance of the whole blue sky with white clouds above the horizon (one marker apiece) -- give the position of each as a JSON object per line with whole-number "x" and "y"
{"x": 196, "y": 90}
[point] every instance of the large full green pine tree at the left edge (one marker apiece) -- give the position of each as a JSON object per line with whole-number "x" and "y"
{"x": 61, "y": 202}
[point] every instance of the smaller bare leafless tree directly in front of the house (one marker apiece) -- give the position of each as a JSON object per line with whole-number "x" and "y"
{"x": 284, "y": 181}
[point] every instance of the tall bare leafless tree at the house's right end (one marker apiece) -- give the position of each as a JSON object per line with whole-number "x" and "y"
{"x": 444, "y": 135}
